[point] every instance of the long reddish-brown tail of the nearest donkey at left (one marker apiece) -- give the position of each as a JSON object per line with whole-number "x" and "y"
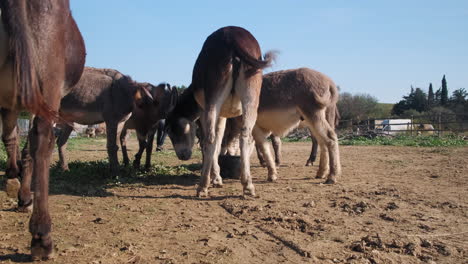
{"x": 24, "y": 64}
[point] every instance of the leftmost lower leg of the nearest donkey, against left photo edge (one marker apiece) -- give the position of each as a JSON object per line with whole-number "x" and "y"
{"x": 10, "y": 140}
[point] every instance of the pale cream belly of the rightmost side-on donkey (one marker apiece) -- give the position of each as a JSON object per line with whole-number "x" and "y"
{"x": 278, "y": 121}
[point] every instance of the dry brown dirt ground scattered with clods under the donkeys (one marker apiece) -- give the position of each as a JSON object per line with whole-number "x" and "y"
{"x": 392, "y": 205}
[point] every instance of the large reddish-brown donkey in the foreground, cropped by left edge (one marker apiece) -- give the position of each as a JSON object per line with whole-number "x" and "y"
{"x": 42, "y": 55}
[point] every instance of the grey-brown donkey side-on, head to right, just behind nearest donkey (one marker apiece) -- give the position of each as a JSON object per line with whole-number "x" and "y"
{"x": 101, "y": 95}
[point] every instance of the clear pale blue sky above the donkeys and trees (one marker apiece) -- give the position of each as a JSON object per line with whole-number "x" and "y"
{"x": 375, "y": 47}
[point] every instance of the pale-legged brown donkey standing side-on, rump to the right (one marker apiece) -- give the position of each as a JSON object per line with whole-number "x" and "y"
{"x": 289, "y": 97}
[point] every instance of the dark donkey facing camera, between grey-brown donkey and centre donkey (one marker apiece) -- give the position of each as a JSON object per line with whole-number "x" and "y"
{"x": 145, "y": 117}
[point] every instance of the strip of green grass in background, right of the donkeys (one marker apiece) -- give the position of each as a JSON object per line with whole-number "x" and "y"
{"x": 419, "y": 141}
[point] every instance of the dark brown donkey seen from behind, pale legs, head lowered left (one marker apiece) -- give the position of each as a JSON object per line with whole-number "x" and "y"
{"x": 226, "y": 82}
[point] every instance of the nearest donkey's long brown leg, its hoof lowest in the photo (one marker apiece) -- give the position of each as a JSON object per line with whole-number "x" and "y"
{"x": 41, "y": 145}
